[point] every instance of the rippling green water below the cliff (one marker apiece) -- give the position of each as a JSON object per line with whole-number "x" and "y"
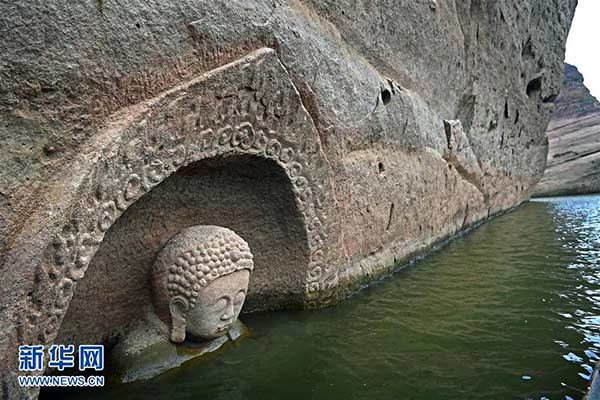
{"x": 509, "y": 311}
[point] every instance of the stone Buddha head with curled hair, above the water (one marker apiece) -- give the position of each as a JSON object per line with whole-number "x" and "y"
{"x": 200, "y": 280}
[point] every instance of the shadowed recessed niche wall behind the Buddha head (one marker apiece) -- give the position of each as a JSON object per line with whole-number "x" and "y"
{"x": 253, "y": 196}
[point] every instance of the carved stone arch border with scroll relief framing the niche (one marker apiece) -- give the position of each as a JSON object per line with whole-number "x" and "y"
{"x": 249, "y": 107}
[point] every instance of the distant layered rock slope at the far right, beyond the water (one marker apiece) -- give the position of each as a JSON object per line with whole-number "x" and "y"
{"x": 574, "y": 138}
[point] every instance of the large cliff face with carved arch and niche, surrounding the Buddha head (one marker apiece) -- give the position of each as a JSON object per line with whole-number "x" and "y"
{"x": 338, "y": 138}
